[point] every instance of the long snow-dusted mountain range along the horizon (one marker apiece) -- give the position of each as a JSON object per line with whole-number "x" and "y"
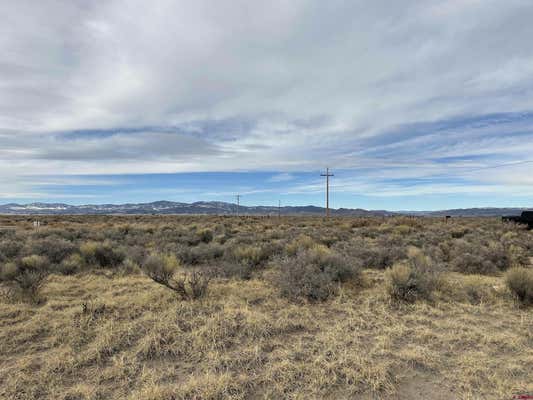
{"x": 221, "y": 208}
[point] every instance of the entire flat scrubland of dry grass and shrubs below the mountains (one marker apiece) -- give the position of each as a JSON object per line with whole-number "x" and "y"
{"x": 298, "y": 308}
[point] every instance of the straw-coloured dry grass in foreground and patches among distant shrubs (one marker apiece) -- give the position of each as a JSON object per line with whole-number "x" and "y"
{"x": 107, "y": 335}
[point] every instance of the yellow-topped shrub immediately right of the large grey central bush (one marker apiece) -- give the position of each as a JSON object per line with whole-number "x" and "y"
{"x": 413, "y": 280}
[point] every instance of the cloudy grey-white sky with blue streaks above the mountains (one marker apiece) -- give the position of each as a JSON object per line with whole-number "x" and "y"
{"x": 413, "y": 105}
